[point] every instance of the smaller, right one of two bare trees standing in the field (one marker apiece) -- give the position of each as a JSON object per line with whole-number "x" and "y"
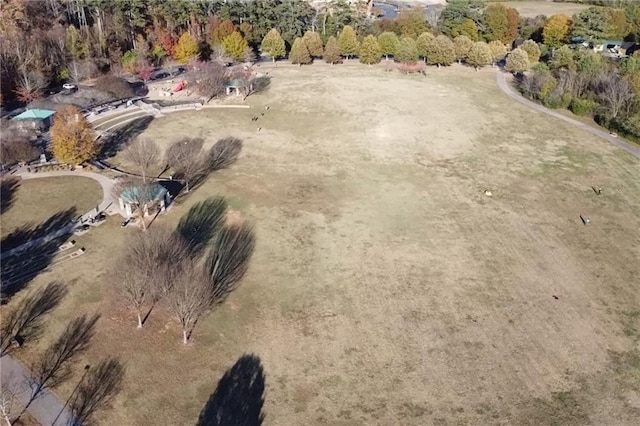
{"x": 190, "y": 298}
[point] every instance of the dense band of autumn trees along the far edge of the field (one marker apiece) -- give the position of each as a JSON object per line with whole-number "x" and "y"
{"x": 46, "y": 42}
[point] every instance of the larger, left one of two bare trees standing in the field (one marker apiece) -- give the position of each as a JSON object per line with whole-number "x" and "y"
{"x": 148, "y": 267}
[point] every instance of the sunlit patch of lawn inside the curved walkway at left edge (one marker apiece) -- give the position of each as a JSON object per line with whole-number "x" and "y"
{"x": 36, "y": 200}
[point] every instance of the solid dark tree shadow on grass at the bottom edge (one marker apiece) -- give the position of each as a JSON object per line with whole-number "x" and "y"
{"x": 239, "y": 396}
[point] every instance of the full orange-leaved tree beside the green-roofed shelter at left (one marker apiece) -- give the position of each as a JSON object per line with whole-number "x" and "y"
{"x": 73, "y": 140}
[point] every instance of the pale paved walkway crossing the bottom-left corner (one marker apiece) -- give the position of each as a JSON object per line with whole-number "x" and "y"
{"x": 47, "y": 409}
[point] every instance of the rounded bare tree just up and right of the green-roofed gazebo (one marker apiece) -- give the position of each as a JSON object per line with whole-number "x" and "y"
{"x": 186, "y": 159}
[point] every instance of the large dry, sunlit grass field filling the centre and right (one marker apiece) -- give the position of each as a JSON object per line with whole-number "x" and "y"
{"x": 386, "y": 287}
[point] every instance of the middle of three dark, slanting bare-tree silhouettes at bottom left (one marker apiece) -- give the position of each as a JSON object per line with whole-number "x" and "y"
{"x": 52, "y": 368}
